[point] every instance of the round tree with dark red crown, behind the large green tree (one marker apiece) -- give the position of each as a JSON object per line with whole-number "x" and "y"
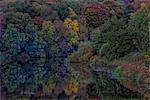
{"x": 95, "y": 14}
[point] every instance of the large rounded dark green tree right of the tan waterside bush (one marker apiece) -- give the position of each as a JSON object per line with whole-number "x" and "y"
{"x": 115, "y": 40}
